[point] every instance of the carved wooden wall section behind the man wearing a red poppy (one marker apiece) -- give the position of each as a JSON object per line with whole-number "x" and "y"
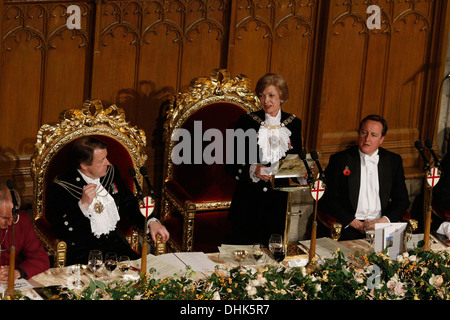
{"x": 381, "y": 71}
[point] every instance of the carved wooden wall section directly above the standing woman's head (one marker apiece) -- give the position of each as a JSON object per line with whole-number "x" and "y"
{"x": 279, "y": 37}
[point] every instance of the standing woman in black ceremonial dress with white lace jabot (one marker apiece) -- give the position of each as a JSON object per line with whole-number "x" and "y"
{"x": 257, "y": 211}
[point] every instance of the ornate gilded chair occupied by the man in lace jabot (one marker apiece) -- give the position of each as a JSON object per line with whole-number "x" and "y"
{"x": 125, "y": 149}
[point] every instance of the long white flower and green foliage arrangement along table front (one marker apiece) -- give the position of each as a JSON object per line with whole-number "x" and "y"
{"x": 415, "y": 275}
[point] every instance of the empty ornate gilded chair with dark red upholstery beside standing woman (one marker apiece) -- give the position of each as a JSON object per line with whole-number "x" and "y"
{"x": 196, "y": 197}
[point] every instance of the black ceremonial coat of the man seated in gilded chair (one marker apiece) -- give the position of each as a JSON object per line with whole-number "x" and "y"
{"x": 69, "y": 223}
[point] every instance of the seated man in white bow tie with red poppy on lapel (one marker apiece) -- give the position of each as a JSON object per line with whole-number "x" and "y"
{"x": 365, "y": 183}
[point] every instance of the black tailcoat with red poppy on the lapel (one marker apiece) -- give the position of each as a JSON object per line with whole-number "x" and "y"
{"x": 341, "y": 196}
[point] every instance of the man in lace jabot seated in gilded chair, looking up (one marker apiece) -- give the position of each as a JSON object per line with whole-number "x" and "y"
{"x": 85, "y": 204}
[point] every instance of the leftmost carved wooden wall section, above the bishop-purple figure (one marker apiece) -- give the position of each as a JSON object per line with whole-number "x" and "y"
{"x": 43, "y": 66}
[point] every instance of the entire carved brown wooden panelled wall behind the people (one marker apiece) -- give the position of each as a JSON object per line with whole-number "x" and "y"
{"x": 136, "y": 54}
